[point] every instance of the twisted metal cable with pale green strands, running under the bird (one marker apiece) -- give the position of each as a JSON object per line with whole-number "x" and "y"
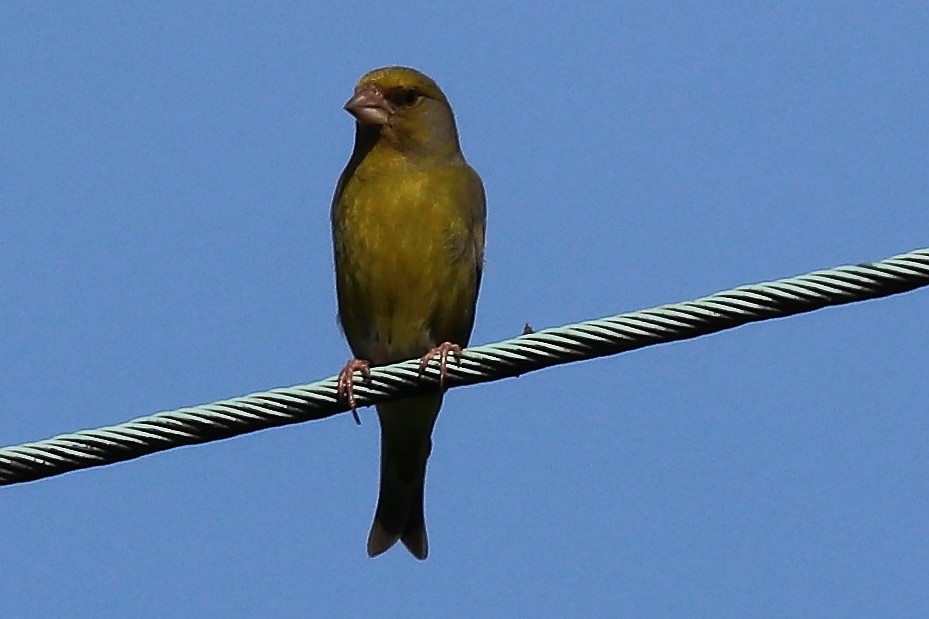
{"x": 479, "y": 364}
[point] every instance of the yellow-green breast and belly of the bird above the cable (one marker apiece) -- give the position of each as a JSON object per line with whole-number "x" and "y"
{"x": 402, "y": 285}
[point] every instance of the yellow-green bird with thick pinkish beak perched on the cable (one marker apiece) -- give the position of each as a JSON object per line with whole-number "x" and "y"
{"x": 408, "y": 220}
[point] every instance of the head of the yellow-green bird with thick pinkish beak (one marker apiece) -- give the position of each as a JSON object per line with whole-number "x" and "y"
{"x": 404, "y": 110}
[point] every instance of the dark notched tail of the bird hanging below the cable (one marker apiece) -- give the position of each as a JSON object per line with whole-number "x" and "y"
{"x": 406, "y": 440}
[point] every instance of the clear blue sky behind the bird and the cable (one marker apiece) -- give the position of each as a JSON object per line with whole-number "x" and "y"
{"x": 165, "y": 178}
